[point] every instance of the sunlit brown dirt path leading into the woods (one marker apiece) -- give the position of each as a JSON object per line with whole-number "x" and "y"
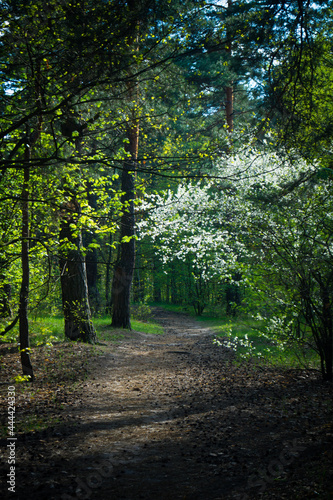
{"x": 143, "y": 403}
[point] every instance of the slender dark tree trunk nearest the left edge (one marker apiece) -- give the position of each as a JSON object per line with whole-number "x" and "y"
{"x": 24, "y": 292}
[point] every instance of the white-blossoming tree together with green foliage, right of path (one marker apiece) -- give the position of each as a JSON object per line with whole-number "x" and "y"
{"x": 267, "y": 218}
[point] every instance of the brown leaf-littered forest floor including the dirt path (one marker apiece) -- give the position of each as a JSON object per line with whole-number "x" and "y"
{"x": 165, "y": 417}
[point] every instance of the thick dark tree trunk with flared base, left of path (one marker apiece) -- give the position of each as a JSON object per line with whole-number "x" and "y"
{"x": 74, "y": 287}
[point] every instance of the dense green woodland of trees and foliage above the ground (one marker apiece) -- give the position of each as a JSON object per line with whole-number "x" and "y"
{"x": 165, "y": 151}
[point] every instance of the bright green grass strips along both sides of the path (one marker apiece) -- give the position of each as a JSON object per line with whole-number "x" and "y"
{"x": 238, "y": 333}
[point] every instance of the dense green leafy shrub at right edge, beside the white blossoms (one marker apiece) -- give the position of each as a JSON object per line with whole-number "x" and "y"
{"x": 293, "y": 268}
